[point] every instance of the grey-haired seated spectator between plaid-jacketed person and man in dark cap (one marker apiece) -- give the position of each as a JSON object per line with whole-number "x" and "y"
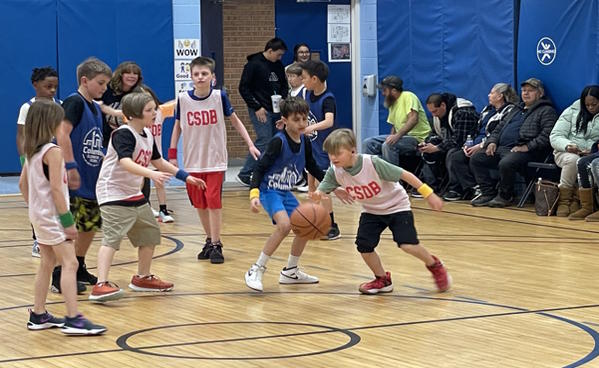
{"x": 462, "y": 184}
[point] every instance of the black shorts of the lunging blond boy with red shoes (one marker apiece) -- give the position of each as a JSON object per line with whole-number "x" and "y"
{"x": 371, "y": 226}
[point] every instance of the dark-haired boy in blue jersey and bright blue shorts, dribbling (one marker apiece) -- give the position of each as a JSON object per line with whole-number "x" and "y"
{"x": 277, "y": 172}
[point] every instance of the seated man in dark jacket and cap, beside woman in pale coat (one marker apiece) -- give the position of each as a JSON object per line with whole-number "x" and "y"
{"x": 514, "y": 143}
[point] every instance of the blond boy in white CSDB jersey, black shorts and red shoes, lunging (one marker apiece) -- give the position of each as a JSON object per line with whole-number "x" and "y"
{"x": 375, "y": 183}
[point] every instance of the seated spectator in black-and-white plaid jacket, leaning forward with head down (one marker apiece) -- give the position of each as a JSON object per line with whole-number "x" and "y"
{"x": 453, "y": 120}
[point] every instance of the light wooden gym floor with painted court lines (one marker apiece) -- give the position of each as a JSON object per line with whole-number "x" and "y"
{"x": 524, "y": 295}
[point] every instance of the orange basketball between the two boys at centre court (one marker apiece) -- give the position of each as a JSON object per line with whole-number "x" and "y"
{"x": 310, "y": 221}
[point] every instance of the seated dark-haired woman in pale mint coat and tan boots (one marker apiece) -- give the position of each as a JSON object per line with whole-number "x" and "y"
{"x": 583, "y": 116}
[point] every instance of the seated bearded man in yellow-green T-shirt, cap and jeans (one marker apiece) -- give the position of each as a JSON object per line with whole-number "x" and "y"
{"x": 409, "y": 126}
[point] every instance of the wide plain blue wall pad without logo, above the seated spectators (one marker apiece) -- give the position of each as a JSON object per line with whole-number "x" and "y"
{"x": 459, "y": 46}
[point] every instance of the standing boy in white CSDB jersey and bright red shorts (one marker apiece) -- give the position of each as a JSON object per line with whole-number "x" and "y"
{"x": 200, "y": 117}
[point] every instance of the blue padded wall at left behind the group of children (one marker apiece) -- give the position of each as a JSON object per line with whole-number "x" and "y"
{"x": 62, "y": 33}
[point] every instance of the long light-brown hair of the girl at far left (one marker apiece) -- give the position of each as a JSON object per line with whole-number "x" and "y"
{"x": 42, "y": 120}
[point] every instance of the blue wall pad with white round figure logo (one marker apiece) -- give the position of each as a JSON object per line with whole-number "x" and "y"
{"x": 558, "y": 43}
